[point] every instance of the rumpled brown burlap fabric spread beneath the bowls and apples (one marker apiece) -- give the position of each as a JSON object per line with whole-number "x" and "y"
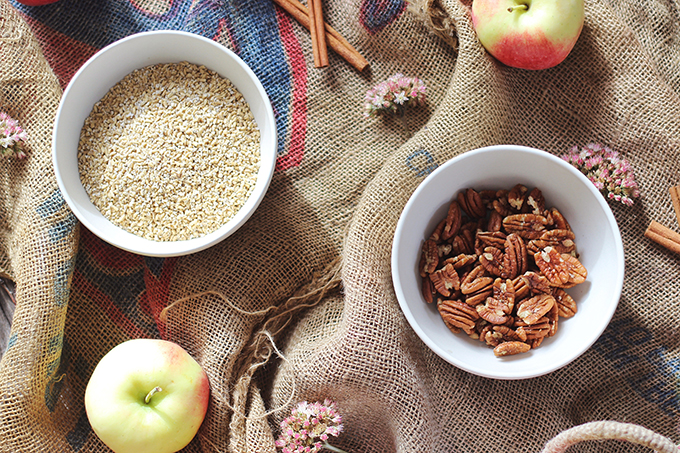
{"x": 299, "y": 305}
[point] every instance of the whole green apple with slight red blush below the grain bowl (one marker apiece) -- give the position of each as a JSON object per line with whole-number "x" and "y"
{"x": 147, "y": 396}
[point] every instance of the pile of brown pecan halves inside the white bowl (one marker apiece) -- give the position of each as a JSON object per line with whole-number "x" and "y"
{"x": 498, "y": 266}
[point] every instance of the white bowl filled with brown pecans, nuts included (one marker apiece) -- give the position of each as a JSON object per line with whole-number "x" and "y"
{"x": 507, "y": 262}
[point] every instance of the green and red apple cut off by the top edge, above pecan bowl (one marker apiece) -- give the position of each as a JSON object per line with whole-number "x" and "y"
{"x": 528, "y": 34}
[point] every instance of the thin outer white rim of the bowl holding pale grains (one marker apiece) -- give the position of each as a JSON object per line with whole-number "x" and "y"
{"x": 174, "y": 248}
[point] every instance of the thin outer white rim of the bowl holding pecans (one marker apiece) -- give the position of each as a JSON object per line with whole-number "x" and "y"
{"x": 617, "y": 284}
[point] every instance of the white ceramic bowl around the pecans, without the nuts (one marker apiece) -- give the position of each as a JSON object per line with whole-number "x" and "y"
{"x": 597, "y": 238}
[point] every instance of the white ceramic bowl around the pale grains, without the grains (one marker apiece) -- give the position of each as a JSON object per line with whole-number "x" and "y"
{"x": 106, "y": 68}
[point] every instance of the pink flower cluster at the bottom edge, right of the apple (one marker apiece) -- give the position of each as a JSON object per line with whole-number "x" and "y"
{"x": 307, "y": 429}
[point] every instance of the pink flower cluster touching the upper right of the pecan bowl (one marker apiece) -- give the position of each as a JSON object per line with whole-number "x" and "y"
{"x": 606, "y": 170}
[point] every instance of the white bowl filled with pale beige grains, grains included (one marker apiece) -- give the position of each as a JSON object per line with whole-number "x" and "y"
{"x": 164, "y": 143}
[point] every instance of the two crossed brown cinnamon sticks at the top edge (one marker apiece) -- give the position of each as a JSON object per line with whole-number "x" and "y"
{"x": 323, "y": 35}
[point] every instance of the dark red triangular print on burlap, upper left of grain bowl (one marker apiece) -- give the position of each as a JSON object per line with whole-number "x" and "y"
{"x": 65, "y": 55}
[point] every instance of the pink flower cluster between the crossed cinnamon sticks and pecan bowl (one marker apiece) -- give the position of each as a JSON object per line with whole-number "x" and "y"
{"x": 394, "y": 95}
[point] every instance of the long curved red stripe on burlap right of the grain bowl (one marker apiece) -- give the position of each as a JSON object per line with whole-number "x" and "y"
{"x": 298, "y": 128}
